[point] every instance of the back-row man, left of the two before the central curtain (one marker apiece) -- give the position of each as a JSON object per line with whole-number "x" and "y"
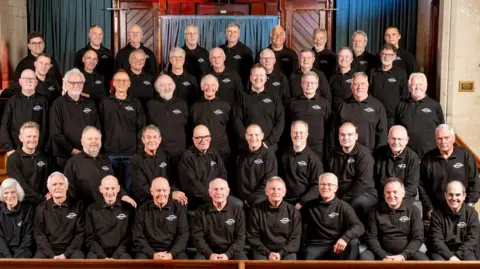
{"x": 197, "y": 60}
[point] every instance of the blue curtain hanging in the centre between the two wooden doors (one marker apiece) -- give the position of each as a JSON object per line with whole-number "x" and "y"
{"x": 255, "y": 31}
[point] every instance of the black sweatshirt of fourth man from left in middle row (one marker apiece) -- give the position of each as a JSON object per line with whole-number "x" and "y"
{"x": 171, "y": 117}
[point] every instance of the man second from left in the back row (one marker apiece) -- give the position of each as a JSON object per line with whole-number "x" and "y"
{"x": 105, "y": 56}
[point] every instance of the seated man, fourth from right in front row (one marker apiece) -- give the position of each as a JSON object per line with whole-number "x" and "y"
{"x": 275, "y": 227}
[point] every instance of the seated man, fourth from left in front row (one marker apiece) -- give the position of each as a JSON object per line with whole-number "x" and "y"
{"x": 161, "y": 229}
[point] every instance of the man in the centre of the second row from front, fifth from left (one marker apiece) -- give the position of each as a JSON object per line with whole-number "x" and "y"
{"x": 254, "y": 166}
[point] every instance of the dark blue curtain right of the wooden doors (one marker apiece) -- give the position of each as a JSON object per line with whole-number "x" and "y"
{"x": 373, "y": 17}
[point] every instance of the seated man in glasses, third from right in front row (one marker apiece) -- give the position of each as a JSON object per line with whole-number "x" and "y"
{"x": 332, "y": 225}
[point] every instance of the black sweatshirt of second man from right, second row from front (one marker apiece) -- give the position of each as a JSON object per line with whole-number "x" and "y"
{"x": 405, "y": 166}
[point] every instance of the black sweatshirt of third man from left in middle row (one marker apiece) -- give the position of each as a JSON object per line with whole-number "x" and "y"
{"x": 122, "y": 123}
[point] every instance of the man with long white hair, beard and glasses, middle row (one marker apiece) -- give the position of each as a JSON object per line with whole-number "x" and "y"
{"x": 69, "y": 115}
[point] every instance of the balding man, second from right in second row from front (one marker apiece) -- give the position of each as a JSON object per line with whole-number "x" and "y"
{"x": 399, "y": 161}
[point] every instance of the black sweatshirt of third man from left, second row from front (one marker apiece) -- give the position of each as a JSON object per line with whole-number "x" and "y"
{"x": 145, "y": 168}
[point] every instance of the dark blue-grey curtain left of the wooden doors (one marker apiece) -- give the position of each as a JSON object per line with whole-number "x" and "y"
{"x": 65, "y": 25}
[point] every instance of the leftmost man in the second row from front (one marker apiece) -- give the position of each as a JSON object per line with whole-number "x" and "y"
{"x": 29, "y": 166}
